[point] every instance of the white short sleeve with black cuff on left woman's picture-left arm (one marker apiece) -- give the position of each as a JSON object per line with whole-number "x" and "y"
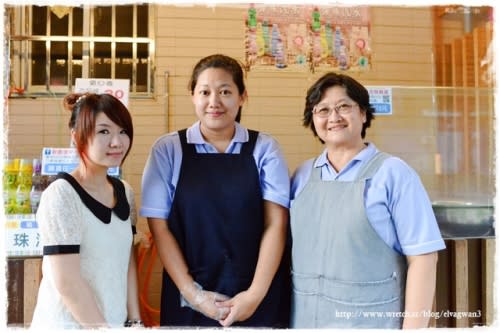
{"x": 60, "y": 218}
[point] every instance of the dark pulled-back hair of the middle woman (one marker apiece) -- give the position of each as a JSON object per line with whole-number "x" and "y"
{"x": 230, "y": 65}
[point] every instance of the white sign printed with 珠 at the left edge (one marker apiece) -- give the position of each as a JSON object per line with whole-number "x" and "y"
{"x": 22, "y": 237}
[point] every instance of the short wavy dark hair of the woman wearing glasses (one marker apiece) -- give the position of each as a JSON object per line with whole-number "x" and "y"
{"x": 355, "y": 90}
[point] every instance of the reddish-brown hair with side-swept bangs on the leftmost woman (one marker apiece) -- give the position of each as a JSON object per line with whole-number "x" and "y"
{"x": 84, "y": 110}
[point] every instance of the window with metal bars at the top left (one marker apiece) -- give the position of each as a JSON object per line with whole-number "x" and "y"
{"x": 51, "y": 46}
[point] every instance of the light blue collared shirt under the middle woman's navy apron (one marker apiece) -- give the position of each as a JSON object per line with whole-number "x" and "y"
{"x": 163, "y": 166}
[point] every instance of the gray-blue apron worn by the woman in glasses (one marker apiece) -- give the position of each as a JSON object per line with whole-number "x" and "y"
{"x": 343, "y": 274}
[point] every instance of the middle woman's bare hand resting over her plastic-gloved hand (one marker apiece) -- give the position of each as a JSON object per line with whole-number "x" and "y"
{"x": 242, "y": 306}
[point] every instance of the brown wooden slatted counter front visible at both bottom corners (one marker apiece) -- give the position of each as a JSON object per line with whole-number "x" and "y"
{"x": 464, "y": 284}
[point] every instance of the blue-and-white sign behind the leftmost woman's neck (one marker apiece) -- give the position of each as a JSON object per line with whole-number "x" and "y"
{"x": 55, "y": 160}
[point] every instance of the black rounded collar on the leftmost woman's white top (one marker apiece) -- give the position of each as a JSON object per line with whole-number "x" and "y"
{"x": 103, "y": 213}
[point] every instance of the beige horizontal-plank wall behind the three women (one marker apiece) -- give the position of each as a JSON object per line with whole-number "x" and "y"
{"x": 402, "y": 47}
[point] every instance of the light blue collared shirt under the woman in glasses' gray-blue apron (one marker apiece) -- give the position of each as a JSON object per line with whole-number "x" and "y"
{"x": 395, "y": 194}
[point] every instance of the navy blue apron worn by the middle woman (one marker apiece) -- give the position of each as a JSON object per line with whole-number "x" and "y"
{"x": 217, "y": 218}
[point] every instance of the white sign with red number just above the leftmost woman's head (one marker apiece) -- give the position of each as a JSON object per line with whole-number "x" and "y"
{"x": 117, "y": 87}
